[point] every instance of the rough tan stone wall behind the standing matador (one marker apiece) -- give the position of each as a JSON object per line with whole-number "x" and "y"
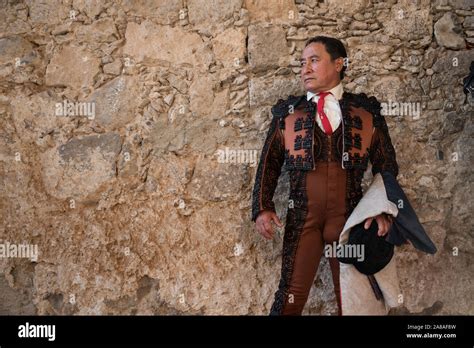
{"x": 128, "y": 133}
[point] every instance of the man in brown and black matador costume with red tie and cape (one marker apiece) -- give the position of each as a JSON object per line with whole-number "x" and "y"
{"x": 325, "y": 139}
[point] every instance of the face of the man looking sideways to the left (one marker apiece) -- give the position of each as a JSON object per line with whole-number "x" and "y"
{"x": 318, "y": 72}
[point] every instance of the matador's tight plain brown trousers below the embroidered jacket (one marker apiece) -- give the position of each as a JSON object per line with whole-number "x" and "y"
{"x": 326, "y": 191}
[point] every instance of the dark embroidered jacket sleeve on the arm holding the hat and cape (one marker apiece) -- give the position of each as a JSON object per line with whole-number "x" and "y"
{"x": 382, "y": 154}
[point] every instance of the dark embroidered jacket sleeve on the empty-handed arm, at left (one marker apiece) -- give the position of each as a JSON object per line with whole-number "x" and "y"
{"x": 268, "y": 170}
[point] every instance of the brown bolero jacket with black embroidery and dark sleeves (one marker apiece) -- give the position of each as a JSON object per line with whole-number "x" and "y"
{"x": 296, "y": 143}
